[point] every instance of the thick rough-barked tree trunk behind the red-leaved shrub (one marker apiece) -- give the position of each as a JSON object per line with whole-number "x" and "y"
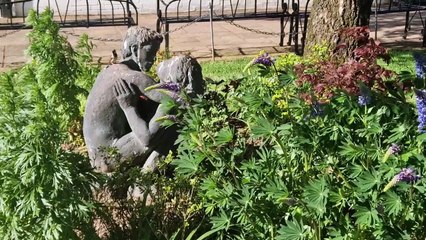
{"x": 329, "y": 16}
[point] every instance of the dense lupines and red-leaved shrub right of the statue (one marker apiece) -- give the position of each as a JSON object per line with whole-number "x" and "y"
{"x": 331, "y": 152}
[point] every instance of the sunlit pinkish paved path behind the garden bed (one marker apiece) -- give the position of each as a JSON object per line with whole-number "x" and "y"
{"x": 230, "y": 41}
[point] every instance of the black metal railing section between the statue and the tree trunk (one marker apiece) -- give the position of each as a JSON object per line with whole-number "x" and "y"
{"x": 293, "y": 13}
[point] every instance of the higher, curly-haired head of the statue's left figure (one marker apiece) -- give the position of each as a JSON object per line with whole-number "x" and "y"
{"x": 141, "y": 45}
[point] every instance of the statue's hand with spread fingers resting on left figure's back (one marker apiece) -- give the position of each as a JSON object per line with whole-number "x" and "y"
{"x": 125, "y": 94}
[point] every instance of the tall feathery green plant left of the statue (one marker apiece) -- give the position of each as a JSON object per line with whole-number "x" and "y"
{"x": 46, "y": 191}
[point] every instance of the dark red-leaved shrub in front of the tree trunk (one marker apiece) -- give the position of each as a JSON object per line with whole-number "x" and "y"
{"x": 331, "y": 75}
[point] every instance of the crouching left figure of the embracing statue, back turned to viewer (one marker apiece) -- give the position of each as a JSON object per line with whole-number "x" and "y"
{"x": 118, "y": 113}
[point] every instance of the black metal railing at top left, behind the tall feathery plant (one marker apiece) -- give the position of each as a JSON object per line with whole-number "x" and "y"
{"x": 70, "y": 13}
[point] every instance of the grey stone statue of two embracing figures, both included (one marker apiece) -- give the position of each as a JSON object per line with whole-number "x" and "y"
{"x": 120, "y": 114}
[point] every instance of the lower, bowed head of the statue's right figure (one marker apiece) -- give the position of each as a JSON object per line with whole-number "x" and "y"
{"x": 184, "y": 70}
